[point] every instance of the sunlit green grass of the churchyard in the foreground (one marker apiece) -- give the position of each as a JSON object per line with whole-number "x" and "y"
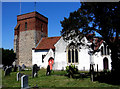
{"x": 57, "y": 79}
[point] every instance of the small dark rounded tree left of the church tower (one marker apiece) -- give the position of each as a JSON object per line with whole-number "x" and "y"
{"x": 8, "y": 57}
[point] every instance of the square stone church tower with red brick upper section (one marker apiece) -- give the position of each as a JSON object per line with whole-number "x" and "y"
{"x": 30, "y": 28}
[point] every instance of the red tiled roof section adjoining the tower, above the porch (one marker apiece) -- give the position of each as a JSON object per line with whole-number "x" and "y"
{"x": 47, "y": 43}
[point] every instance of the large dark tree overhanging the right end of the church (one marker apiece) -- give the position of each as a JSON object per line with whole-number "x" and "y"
{"x": 102, "y": 18}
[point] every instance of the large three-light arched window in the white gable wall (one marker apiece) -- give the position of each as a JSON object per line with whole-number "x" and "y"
{"x": 72, "y": 54}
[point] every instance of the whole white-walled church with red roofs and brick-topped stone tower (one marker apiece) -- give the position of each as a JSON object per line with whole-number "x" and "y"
{"x": 33, "y": 46}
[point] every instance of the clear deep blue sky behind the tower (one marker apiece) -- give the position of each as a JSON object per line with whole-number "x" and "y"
{"x": 54, "y": 11}
